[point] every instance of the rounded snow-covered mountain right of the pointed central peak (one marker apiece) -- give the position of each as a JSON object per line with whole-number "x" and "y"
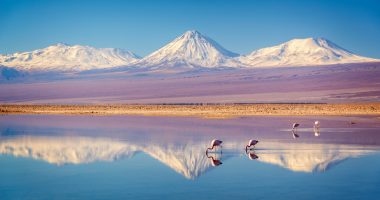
{"x": 302, "y": 52}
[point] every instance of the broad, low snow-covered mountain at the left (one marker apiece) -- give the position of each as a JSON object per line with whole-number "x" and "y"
{"x": 62, "y": 57}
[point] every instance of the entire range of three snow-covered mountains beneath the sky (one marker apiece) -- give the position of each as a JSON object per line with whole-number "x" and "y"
{"x": 188, "y": 51}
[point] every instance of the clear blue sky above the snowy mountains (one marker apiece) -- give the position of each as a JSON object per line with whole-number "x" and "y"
{"x": 143, "y": 26}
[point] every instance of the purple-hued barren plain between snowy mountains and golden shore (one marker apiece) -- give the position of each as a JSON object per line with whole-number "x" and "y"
{"x": 312, "y": 84}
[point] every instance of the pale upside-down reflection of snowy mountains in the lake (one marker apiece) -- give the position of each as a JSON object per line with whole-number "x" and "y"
{"x": 186, "y": 158}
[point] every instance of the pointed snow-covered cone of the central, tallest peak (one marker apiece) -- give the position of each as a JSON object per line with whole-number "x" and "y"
{"x": 192, "y": 49}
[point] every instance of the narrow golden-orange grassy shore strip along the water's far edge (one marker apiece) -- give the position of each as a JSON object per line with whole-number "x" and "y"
{"x": 204, "y": 111}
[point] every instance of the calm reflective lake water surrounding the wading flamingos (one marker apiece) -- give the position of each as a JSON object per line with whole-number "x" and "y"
{"x": 79, "y": 157}
